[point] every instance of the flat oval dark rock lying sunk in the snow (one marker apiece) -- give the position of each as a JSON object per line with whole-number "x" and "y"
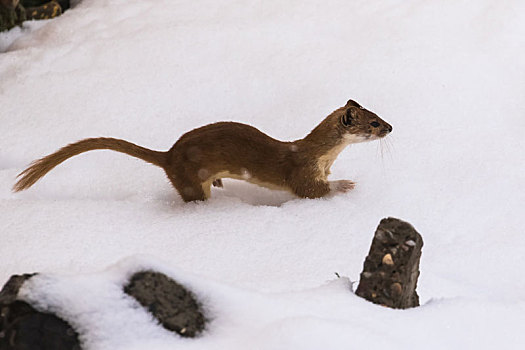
{"x": 173, "y": 305}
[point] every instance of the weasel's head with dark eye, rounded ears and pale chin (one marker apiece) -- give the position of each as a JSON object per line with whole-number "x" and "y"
{"x": 358, "y": 124}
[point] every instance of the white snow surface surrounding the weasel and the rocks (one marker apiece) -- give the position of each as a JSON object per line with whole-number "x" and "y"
{"x": 449, "y": 77}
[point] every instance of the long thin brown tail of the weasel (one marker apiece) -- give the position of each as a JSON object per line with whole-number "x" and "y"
{"x": 42, "y": 166}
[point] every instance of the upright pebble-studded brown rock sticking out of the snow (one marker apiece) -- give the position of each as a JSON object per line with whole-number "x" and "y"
{"x": 391, "y": 269}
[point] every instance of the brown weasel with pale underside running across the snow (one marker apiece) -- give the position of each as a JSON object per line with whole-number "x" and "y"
{"x": 203, "y": 156}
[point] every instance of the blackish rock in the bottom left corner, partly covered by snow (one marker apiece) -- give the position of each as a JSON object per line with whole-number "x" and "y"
{"x": 24, "y": 328}
